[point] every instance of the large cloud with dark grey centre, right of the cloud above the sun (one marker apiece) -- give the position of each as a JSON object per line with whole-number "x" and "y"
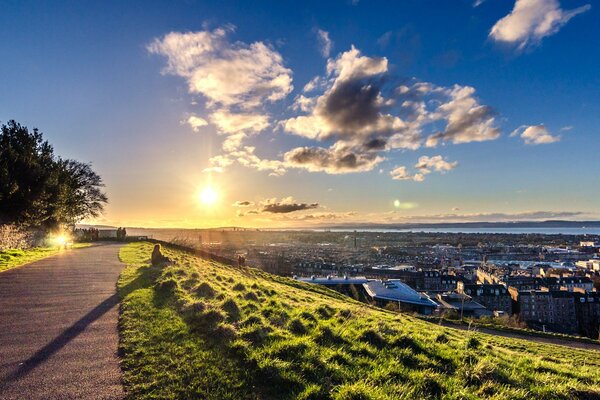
{"x": 365, "y": 117}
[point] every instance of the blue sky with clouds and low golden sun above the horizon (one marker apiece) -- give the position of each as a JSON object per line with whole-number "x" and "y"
{"x": 298, "y": 114}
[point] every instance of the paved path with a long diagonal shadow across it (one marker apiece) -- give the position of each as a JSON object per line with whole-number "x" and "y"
{"x": 58, "y": 327}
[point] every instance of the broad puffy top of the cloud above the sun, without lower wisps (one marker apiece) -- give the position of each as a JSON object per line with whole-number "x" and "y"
{"x": 228, "y": 74}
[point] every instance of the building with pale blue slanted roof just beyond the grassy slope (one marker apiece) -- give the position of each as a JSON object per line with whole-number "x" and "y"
{"x": 395, "y": 291}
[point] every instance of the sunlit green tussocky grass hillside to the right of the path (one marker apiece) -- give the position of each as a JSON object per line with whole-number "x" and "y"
{"x": 198, "y": 329}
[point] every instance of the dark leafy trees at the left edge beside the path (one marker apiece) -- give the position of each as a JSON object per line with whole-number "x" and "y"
{"x": 40, "y": 189}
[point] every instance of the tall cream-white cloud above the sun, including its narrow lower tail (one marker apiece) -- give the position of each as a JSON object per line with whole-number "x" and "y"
{"x": 236, "y": 79}
